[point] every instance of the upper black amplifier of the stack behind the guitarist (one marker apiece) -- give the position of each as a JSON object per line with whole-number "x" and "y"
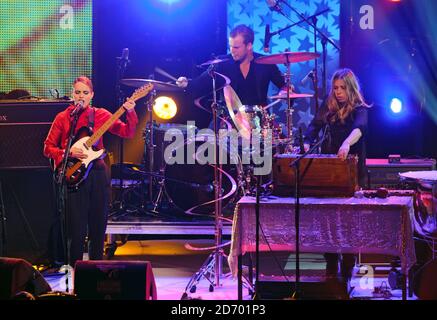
{"x": 24, "y": 125}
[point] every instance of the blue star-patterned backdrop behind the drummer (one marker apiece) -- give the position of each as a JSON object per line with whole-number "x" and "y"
{"x": 256, "y": 14}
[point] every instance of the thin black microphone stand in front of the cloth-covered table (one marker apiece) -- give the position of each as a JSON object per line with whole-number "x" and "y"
{"x": 296, "y": 164}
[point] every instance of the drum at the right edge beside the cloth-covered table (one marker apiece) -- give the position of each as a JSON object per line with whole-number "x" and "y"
{"x": 425, "y": 185}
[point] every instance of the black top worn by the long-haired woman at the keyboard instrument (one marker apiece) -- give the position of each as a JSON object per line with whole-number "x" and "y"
{"x": 338, "y": 132}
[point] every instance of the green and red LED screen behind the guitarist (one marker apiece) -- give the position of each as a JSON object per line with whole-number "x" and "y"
{"x": 44, "y": 44}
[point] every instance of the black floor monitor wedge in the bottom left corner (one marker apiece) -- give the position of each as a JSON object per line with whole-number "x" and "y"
{"x": 18, "y": 275}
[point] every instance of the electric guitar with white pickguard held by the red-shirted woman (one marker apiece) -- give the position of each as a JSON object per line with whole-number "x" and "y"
{"x": 77, "y": 169}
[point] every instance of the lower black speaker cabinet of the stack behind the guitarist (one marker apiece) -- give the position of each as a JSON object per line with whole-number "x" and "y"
{"x": 29, "y": 209}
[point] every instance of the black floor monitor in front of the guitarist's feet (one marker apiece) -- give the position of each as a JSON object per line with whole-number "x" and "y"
{"x": 114, "y": 280}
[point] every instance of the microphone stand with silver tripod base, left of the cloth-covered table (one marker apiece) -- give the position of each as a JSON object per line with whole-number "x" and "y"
{"x": 212, "y": 267}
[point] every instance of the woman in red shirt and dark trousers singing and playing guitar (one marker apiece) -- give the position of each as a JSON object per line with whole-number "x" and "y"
{"x": 87, "y": 198}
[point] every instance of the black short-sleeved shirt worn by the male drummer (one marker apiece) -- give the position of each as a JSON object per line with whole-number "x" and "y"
{"x": 251, "y": 90}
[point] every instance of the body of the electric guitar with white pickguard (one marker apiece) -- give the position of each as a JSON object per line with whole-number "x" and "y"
{"x": 78, "y": 169}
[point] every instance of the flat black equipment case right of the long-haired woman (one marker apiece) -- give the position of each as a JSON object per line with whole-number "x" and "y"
{"x": 381, "y": 173}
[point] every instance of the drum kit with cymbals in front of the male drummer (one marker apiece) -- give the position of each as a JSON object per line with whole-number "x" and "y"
{"x": 197, "y": 180}
